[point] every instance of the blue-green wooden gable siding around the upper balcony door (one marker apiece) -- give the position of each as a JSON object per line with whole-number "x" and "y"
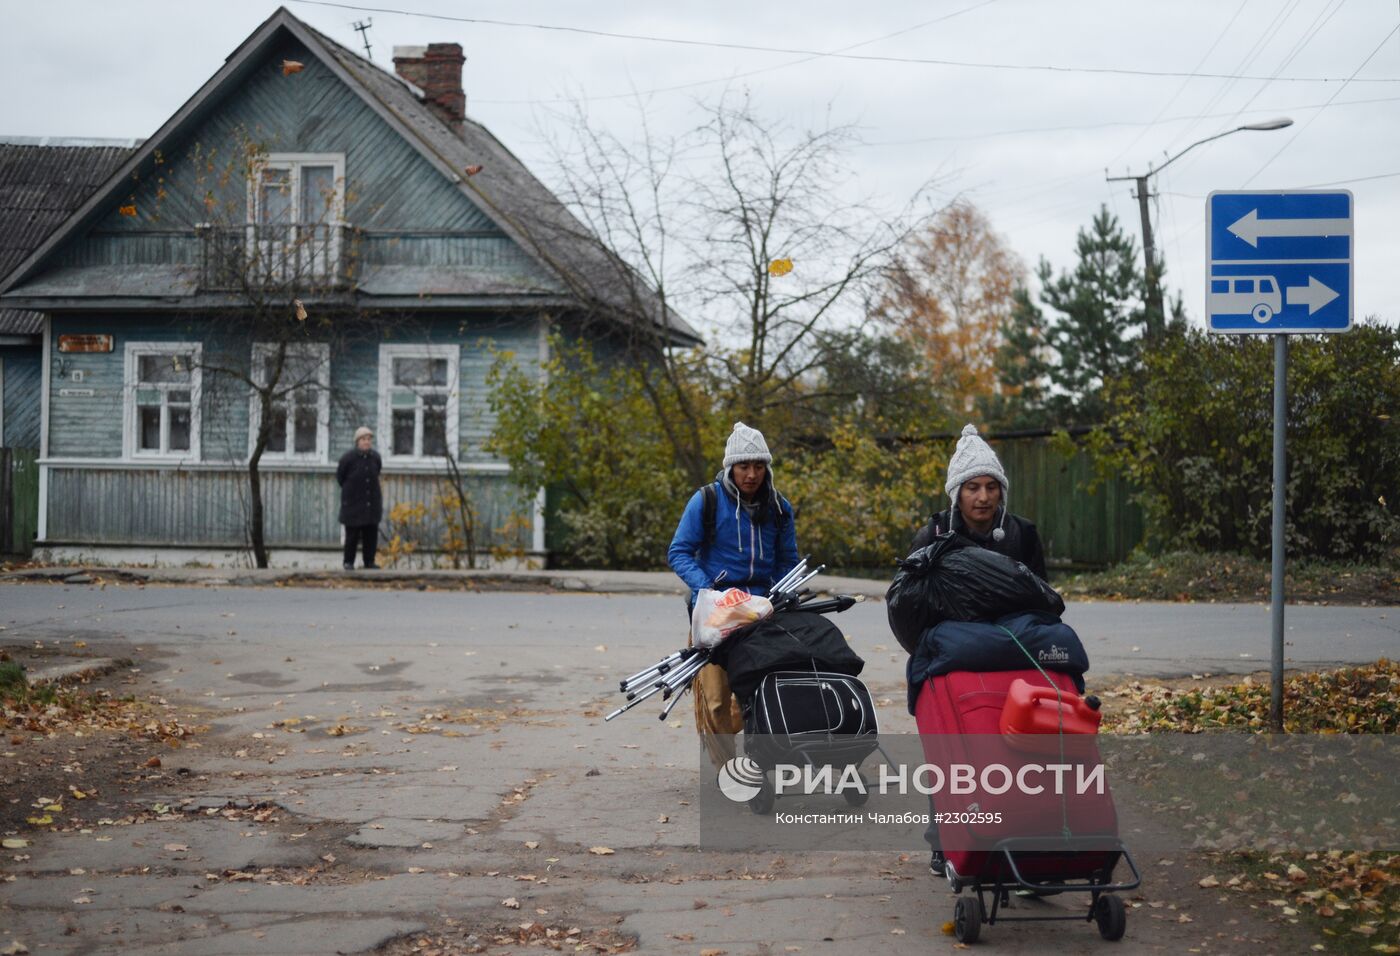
{"x": 390, "y": 187}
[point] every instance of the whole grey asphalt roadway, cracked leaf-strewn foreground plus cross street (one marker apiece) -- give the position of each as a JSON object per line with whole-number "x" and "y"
{"x": 439, "y": 759}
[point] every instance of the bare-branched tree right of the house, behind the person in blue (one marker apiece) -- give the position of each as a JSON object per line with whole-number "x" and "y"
{"x": 741, "y": 223}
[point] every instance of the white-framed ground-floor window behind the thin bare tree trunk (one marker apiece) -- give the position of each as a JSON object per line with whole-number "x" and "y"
{"x": 300, "y": 404}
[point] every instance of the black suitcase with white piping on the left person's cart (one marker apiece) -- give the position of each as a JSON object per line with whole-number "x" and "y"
{"x": 810, "y": 716}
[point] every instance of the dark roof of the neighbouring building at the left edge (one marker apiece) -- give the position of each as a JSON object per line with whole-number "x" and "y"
{"x": 41, "y": 183}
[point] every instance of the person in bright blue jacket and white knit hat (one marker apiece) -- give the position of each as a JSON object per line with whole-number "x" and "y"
{"x": 745, "y": 538}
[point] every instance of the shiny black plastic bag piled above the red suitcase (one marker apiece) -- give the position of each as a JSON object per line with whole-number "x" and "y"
{"x": 954, "y": 579}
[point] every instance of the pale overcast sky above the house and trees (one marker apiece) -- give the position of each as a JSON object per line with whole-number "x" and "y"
{"x": 1030, "y": 146}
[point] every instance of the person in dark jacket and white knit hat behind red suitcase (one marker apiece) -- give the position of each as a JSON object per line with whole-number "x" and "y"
{"x": 976, "y": 491}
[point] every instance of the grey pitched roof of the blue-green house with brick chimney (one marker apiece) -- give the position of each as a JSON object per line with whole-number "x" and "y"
{"x": 517, "y": 202}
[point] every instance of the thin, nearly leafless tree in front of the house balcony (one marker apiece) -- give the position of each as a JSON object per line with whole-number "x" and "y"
{"x": 279, "y": 260}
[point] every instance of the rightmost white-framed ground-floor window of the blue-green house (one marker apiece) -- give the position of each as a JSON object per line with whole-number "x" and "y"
{"x": 419, "y": 401}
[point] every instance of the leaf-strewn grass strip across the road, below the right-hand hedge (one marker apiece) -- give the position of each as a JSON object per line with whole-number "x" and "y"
{"x": 1191, "y": 576}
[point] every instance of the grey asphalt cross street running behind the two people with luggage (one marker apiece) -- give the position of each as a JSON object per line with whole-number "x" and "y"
{"x": 1122, "y": 639}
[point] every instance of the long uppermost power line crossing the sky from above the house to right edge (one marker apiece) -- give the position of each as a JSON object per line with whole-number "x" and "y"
{"x": 870, "y": 58}
